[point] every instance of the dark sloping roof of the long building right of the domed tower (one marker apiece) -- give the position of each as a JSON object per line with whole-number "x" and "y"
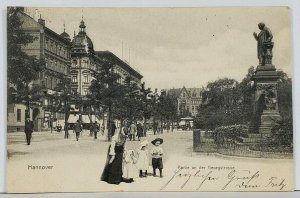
{"x": 107, "y": 54}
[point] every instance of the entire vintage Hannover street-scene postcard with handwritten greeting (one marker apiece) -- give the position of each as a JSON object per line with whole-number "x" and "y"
{"x": 149, "y": 99}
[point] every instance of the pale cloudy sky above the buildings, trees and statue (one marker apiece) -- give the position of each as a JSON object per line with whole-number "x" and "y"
{"x": 176, "y": 47}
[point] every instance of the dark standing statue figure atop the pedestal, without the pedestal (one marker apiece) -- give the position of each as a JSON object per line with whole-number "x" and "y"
{"x": 264, "y": 45}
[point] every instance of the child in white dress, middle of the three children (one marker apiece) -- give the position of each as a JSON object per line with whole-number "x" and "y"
{"x": 143, "y": 159}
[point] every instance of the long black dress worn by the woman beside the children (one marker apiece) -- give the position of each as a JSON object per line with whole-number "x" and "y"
{"x": 112, "y": 173}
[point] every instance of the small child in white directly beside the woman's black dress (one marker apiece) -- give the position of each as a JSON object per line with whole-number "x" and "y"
{"x": 129, "y": 169}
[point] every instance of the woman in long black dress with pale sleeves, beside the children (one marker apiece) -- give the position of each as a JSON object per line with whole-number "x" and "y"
{"x": 112, "y": 172}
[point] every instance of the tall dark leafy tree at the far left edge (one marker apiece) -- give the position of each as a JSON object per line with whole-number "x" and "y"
{"x": 22, "y": 69}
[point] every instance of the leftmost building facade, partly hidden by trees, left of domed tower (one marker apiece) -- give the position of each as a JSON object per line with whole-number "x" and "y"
{"x": 55, "y": 49}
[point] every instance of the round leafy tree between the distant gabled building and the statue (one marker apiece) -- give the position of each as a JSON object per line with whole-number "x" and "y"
{"x": 221, "y": 104}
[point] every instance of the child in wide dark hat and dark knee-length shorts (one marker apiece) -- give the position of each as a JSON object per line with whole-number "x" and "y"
{"x": 157, "y": 153}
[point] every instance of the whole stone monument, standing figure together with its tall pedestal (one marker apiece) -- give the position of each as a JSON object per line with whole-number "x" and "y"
{"x": 265, "y": 78}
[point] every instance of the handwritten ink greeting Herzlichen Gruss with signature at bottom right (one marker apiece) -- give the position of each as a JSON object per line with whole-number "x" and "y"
{"x": 222, "y": 178}
